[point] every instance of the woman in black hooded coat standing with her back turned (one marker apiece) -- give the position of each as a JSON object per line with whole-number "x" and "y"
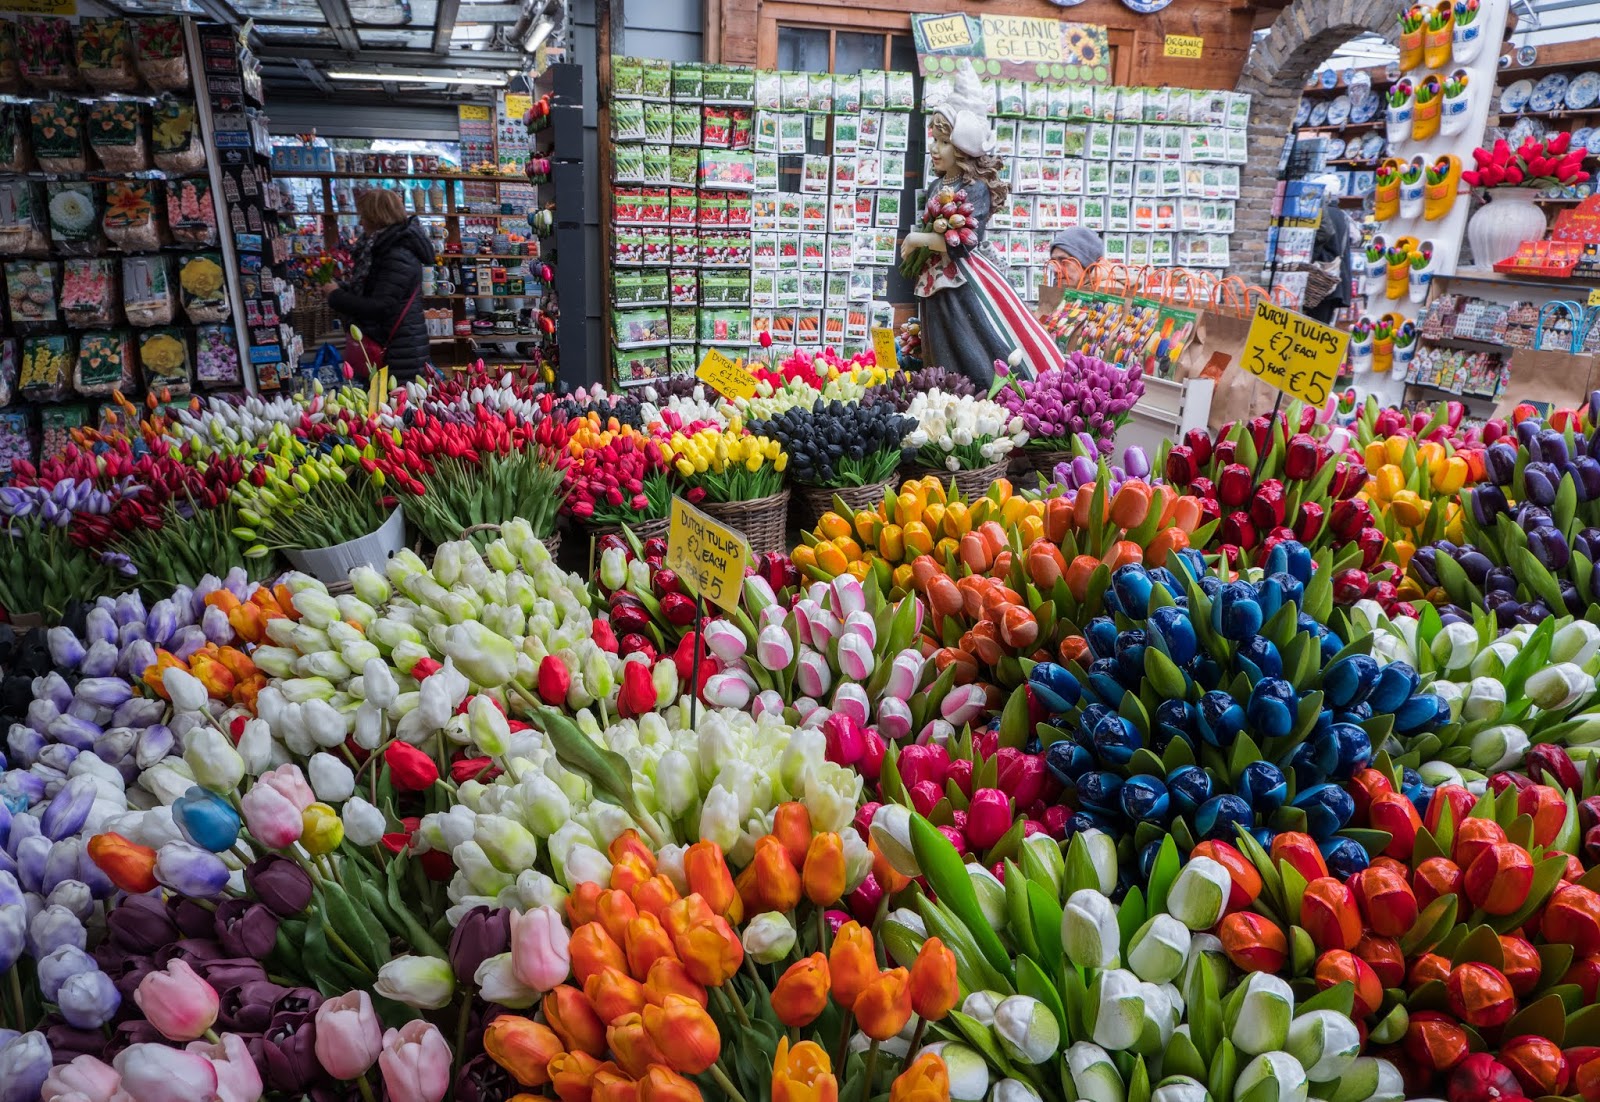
{"x": 385, "y": 292}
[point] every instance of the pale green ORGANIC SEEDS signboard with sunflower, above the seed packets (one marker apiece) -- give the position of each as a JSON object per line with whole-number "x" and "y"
{"x": 1012, "y": 47}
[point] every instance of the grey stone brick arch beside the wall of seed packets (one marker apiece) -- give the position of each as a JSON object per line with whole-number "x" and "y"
{"x": 1303, "y": 38}
